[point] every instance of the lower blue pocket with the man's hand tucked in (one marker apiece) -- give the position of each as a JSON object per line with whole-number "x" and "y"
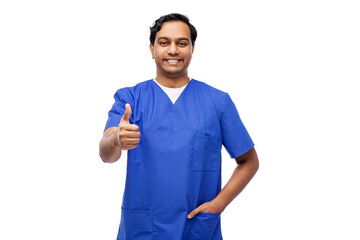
{"x": 203, "y": 226}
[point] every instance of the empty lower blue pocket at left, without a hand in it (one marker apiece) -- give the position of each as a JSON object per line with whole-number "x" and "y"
{"x": 135, "y": 225}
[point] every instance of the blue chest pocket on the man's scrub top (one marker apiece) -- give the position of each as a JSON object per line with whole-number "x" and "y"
{"x": 206, "y": 153}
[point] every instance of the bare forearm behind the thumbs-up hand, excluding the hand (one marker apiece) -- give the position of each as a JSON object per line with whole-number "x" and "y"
{"x": 109, "y": 152}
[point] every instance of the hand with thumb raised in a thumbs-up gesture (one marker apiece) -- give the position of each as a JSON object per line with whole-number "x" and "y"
{"x": 129, "y": 135}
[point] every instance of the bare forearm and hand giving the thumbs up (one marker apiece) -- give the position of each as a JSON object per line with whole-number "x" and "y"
{"x": 125, "y": 136}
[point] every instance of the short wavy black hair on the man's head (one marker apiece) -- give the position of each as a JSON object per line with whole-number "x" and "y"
{"x": 171, "y": 18}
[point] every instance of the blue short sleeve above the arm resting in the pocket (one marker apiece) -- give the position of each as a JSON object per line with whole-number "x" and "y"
{"x": 236, "y": 138}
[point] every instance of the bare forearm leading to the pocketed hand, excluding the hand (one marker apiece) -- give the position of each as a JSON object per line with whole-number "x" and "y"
{"x": 241, "y": 176}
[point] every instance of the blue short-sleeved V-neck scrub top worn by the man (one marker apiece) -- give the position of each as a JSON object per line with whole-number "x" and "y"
{"x": 177, "y": 165}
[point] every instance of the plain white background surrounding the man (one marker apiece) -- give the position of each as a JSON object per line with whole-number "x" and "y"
{"x": 291, "y": 67}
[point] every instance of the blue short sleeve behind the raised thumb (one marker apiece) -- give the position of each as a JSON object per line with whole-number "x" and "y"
{"x": 122, "y": 96}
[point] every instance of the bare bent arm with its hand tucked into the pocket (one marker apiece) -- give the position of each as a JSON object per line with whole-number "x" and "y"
{"x": 248, "y": 165}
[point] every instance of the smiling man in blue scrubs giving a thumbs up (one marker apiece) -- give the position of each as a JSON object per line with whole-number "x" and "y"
{"x": 173, "y": 128}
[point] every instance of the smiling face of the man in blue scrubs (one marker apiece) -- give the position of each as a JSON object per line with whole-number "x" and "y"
{"x": 172, "y": 50}
